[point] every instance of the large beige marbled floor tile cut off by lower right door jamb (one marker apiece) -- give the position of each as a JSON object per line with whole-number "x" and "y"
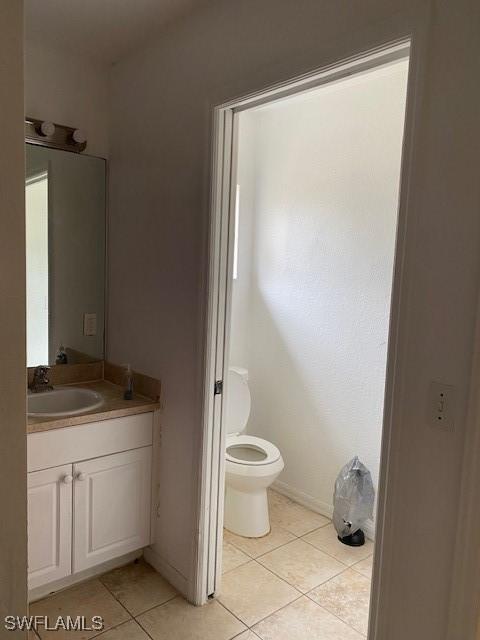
{"x": 346, "y": 596}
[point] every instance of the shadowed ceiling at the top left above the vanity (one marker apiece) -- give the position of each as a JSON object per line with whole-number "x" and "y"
{"x": 105, "y": 30}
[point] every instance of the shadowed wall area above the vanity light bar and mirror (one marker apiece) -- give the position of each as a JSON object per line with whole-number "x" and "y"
{"x": 69, "y": 90}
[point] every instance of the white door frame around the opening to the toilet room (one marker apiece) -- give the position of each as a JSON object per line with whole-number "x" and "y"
{"x": 220, "y": 294}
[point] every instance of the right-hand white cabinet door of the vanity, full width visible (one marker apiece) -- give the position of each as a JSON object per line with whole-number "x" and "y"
{"x": 111, "y": 506}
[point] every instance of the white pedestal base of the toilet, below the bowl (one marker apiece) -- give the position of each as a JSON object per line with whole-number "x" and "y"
{"x": 246, "y": 514}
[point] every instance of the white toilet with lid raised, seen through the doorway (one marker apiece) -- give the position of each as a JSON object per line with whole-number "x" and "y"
{"x": 251, "y": 464}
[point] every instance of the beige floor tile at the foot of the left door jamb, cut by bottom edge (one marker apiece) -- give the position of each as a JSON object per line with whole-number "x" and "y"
{"x": 178, "y": 620}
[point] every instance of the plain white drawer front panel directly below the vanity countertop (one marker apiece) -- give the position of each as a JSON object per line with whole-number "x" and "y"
{"x": 83, "y": 442}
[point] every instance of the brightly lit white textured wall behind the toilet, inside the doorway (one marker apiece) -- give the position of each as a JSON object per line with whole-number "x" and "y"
{"x": 319, "y": 180}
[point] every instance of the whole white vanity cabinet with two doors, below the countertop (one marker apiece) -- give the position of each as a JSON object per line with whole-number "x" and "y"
{"x": 89, "y": 495}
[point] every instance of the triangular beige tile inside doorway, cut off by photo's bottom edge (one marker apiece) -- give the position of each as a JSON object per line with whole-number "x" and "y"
{"x": 304, "y": 620}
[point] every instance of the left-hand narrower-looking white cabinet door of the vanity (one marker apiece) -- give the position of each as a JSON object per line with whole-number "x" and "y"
{"x": 49, "y": 525}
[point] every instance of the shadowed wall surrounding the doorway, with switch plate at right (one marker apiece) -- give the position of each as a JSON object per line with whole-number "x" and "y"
{"x": 159, "y": 195}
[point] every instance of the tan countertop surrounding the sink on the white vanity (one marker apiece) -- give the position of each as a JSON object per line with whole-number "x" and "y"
{"x": 114, "y": 406}
